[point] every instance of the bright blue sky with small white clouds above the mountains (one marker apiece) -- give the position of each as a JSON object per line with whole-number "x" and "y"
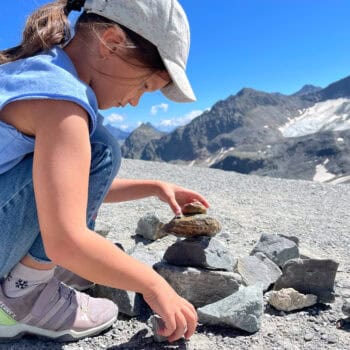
{"x": 269, "y": 45}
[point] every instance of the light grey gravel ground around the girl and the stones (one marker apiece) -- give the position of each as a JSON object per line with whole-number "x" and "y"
{"x": 246, "y": 206}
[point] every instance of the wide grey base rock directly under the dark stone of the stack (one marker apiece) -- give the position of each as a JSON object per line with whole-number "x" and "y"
{"x": 199, "y": 286}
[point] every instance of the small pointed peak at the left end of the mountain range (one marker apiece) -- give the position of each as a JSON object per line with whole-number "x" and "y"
{"x": 135, "y": 143}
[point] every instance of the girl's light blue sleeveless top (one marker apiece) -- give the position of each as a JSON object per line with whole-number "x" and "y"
{"x": 48, "y": 75}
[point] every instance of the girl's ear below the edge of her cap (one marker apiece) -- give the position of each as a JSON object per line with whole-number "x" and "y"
{"x": 110, "y": 40}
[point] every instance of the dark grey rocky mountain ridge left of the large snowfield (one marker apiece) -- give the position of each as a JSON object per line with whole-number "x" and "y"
{"x": 248, "y": 118}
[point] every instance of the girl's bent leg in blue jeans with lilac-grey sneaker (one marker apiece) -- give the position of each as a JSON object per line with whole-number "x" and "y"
{"x": 50, "y": 308}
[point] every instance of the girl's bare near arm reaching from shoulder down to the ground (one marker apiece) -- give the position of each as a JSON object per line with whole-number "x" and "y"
{"x": 60, "y": 176}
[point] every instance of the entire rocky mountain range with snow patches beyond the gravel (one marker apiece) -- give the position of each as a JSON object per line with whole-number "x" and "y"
{"x": 253, "y": 132}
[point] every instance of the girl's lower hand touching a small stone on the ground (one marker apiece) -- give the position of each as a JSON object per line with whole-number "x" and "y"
{"x": 179, "y": 316}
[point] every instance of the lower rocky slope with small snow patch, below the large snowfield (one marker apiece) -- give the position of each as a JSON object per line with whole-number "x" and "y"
{"x": 323, "y": 157}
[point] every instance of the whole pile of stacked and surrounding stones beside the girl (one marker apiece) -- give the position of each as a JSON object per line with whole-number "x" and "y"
{"x": 226, "y": 290}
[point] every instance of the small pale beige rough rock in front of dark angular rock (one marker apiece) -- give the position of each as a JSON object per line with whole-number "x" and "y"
{"x": 288, "y": 299}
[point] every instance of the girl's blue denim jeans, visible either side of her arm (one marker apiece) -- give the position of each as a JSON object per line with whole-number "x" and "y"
{"x": 19, "y": 226}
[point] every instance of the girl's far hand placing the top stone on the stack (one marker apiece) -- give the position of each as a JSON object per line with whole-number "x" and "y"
{"x": 177, "y": 196}
